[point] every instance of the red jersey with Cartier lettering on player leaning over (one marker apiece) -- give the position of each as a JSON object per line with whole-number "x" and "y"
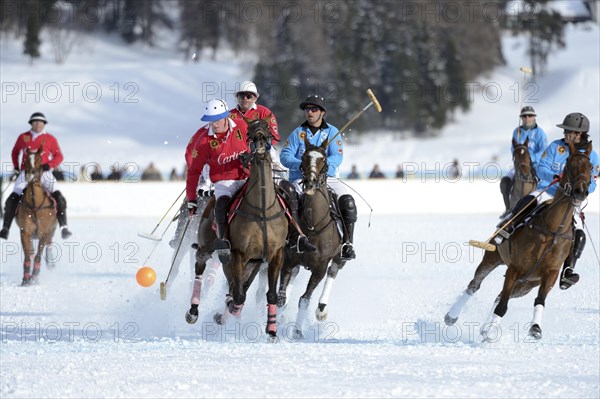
{"x": 221, "y": 152}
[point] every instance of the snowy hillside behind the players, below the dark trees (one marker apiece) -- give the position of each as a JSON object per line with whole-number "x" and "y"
{"x": 111, "y": 104}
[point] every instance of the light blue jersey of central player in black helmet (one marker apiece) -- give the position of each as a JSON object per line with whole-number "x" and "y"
{"x": 291, "y": 154}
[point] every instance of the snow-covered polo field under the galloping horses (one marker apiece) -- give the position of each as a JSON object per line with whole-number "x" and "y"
{"x": 88, "y": 329}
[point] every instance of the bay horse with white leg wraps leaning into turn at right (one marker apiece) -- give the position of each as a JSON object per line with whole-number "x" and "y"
{"x": 535, "y": 253}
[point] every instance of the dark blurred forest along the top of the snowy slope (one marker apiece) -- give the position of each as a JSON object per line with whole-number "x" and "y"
{"x": 421, "y": 58}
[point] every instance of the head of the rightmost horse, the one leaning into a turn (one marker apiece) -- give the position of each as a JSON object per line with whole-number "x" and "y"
{"x": 576, "y": 175}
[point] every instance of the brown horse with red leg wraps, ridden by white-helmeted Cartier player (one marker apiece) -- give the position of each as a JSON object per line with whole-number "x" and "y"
{"x": 258, "y": 231}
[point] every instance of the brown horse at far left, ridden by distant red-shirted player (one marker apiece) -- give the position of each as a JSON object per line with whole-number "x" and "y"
{"x": 36, "y": 217}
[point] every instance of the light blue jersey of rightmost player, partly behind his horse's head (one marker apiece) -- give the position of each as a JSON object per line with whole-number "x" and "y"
{"x": 552, "y": 162}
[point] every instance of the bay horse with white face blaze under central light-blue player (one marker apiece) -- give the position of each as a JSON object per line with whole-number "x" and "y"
{"x": 318, "y": 223}
